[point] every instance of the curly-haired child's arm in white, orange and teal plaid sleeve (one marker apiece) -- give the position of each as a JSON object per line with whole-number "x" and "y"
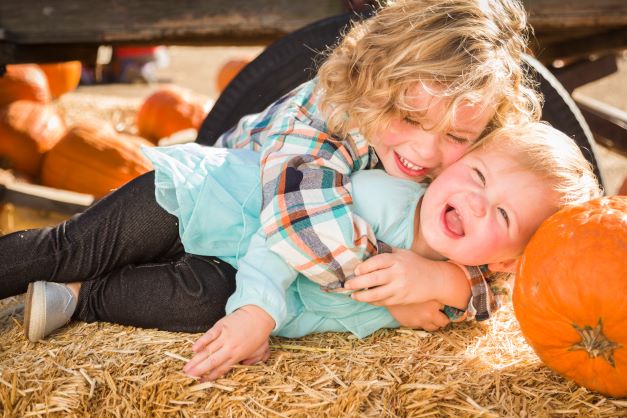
{"x": 307, "y": 213}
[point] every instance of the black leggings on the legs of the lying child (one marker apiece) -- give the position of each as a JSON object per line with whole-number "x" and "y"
{"x": 127, "y": 252}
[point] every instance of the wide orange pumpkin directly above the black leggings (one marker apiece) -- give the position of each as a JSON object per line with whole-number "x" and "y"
{"x": 93, "y": 158}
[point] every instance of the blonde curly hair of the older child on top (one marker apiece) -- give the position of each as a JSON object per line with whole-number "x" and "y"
{"x": 469, "y": 50}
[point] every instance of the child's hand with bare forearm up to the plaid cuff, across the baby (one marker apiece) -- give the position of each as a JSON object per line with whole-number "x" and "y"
{"x": 404, "y": 277}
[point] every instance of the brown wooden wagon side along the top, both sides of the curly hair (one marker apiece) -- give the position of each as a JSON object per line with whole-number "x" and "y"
{"x": 69, "y": 28}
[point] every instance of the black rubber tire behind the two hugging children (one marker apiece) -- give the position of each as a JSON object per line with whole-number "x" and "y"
{"x": 290, "y": 61}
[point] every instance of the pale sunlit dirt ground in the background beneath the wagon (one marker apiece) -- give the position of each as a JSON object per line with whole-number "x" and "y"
{"x": 197, "y": 69}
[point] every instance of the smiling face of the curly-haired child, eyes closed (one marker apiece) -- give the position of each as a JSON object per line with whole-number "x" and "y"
{"x": 412, "y": 150}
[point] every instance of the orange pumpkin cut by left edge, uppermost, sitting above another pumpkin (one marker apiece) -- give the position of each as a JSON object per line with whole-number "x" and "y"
{"x": 24, "y": 82}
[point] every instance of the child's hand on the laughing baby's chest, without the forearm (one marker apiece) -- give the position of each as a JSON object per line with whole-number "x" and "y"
{"x": 398, "y": 278}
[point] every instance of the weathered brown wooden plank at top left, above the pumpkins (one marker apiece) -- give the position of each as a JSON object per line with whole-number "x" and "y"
{"x": 156, "y": 21}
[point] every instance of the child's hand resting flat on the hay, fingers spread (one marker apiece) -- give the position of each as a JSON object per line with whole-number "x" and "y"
{"x": 240, "y": 336}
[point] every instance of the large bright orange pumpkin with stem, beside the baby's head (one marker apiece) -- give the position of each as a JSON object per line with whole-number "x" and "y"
{"x": 570, "y": 294}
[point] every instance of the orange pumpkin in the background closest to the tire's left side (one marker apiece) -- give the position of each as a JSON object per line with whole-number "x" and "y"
{"x": 168, "y": 110}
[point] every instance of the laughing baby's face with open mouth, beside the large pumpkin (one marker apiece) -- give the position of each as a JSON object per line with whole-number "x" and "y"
{"x": 484, "y": 208}
